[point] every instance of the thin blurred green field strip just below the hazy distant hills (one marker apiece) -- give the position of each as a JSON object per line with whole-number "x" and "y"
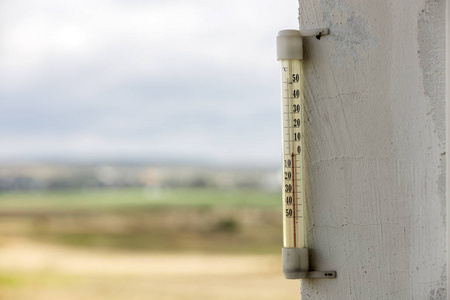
{"x": 138, "y": 198}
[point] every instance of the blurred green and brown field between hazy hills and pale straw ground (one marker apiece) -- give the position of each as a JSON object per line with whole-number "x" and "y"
{"x": 139, "y": 219}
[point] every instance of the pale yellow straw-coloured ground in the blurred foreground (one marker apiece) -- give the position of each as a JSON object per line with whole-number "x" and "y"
{"x": 30, "y": 270}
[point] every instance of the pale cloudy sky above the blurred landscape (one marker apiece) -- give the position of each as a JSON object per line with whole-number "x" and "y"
{"x": 173, "y": 81}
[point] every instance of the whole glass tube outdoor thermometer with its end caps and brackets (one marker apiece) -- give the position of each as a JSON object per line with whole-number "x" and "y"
{"x": 295, "y": 251}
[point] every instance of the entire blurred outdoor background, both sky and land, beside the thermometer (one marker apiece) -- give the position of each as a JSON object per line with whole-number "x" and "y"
{"x": 124, "y": 127}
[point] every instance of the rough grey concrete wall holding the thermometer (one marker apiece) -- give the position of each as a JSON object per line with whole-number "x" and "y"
{"x": 376, "y": 158}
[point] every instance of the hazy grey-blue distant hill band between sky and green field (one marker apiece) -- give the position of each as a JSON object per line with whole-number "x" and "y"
{"x": 48, "y": 176}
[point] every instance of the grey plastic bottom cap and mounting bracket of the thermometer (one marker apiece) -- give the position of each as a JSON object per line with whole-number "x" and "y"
{"x": 296, "y": 265}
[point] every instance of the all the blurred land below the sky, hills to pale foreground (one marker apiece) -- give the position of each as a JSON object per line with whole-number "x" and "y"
{"x": 140, "y": 232}
